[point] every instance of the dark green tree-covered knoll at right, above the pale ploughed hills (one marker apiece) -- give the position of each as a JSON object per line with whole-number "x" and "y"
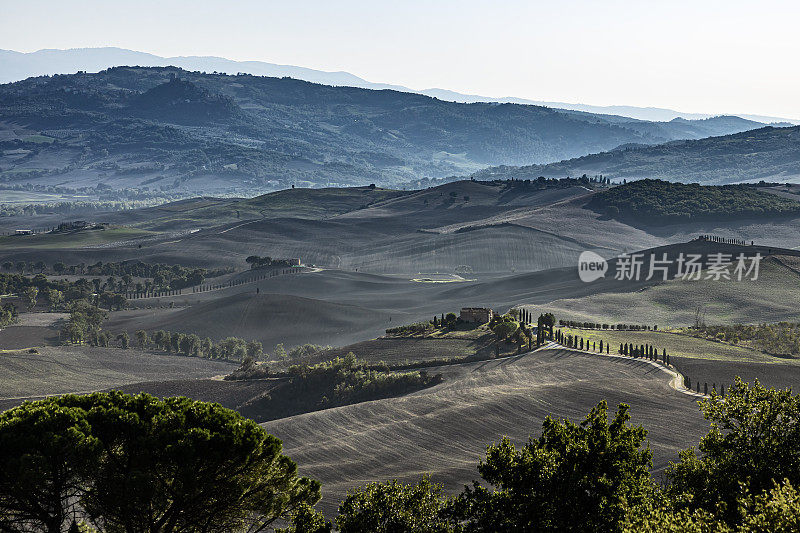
{"x": 660, "y": 202}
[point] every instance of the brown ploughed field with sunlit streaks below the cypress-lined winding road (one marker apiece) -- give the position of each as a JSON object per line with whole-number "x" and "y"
{"x": 444, "y": 430}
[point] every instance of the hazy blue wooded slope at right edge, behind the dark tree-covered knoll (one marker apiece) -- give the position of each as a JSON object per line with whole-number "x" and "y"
{"x": 770, "y": 154}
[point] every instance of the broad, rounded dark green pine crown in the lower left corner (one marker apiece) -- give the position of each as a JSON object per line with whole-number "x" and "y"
{"x": 136, "y": 463}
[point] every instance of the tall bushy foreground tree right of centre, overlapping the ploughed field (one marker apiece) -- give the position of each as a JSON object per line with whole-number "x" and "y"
{"x": 575, "y": 477}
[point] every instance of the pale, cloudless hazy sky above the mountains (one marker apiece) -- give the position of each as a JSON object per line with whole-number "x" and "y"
{"x": 703, "y": 56}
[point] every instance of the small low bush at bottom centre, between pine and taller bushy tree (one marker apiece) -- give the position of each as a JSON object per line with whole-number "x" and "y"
{"x": 394, "y": 507}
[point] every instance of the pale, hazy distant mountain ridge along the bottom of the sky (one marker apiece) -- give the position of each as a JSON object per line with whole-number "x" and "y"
{"x": 16, "y": 66}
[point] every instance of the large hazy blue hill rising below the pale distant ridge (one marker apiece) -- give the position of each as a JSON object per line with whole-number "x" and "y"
{"x": 163, "y": 130}
